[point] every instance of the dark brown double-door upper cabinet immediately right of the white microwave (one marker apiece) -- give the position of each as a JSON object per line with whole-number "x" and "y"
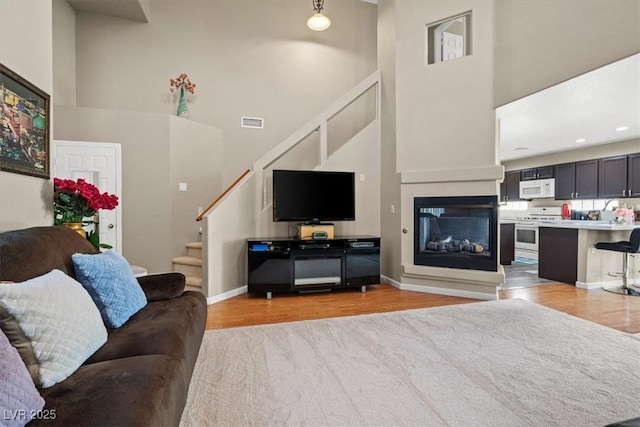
{"x": 577, "y": 180}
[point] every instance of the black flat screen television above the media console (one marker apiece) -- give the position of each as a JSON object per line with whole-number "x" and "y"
{"x": 313, "y": 196}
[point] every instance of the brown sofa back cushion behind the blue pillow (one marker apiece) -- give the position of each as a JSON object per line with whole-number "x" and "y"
{"x": 32, "y": 252}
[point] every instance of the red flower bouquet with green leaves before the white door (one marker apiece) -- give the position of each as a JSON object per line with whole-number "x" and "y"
{"x": 75, "y": 200}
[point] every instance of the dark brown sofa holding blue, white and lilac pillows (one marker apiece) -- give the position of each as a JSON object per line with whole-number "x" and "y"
{"x": 141, "y": 376}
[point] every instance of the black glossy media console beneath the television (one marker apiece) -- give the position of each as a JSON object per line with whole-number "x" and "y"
{"x": 294, "y": 265}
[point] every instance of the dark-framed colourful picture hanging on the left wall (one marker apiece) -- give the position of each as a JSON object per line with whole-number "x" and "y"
{"x": 24, "y": 126}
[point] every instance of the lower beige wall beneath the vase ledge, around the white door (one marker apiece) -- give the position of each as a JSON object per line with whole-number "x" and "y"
{"x": 157, "y": 219}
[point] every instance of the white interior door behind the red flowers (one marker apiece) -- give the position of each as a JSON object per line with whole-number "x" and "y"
{"x": 99, "y": 163}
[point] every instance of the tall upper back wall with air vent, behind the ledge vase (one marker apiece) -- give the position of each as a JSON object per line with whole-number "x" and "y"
{"x": 247, "y": 58}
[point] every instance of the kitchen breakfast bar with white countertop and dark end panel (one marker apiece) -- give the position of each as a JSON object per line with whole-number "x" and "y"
{"x": 567, "y": 252}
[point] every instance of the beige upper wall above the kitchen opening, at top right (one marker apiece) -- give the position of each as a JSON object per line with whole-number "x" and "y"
{"x": 542, "y": 43}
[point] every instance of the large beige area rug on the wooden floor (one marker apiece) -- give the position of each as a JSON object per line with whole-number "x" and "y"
{"x": 498, "y": 363}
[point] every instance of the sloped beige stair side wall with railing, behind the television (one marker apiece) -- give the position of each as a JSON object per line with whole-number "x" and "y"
{"x": 251, "y": 192}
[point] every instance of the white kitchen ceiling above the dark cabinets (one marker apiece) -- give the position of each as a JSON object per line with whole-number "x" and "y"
{"x": 590, "y": 107}
